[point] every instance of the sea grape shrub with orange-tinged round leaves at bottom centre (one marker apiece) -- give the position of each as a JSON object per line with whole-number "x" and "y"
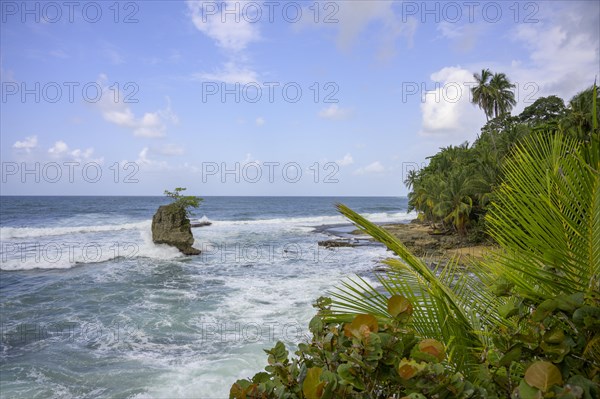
{"x": 367, "y": 358}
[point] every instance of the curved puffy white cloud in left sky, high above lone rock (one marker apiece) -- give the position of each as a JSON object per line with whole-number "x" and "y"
{"x": 150, "y": 124}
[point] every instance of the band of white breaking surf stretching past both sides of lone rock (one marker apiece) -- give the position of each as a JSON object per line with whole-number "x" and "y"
{"x": 23, "y": 256}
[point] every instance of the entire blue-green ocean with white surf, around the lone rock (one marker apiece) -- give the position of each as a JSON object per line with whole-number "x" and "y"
{"x": 90, "y": 307}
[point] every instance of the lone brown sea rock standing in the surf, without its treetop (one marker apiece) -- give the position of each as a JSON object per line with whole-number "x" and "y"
{"x": 171, "y": 226}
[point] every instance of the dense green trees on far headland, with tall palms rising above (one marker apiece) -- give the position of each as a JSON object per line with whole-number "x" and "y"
{"x": 453, "y": 192}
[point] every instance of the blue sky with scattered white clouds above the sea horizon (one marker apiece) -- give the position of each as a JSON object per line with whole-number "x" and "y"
{"x": 328, "y": 98}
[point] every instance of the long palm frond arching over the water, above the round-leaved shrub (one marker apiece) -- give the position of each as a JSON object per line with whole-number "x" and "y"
{"x": 448, "y": 304}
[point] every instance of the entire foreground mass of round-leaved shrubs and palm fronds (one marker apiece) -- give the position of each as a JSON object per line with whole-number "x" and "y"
{"x": 522, "y": 323}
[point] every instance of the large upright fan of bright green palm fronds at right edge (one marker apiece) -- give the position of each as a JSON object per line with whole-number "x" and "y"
{"x": 547, "y": 219}
